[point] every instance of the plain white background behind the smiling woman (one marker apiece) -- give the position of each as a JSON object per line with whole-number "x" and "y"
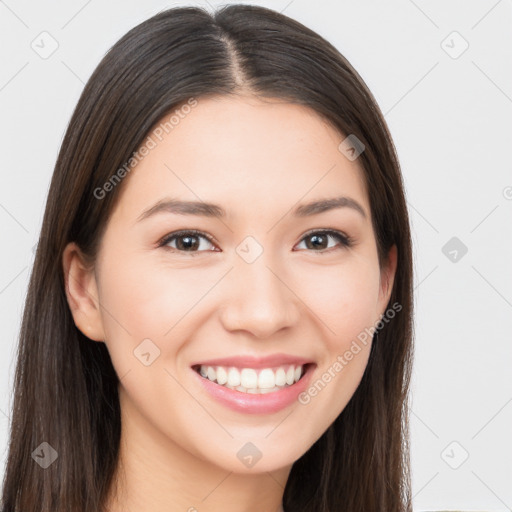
{"x": 451, "y": 122}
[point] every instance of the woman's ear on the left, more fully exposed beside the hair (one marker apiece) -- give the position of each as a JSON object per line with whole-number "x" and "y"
{"x": 82, "y": 293}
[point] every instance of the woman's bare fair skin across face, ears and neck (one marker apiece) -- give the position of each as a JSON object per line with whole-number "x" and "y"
{"x": 258, "y": 160}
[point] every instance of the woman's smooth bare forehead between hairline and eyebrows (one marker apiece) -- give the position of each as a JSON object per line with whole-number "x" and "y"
{"x": 243, "y": 153}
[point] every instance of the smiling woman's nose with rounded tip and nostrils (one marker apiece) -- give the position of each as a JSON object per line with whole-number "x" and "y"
{"x": 259, "y": 299}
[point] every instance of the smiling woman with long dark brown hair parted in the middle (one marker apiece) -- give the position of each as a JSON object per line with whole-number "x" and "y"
{"x": 188, "y": 342}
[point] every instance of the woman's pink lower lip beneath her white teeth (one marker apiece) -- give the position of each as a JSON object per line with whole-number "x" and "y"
{"x": 257, "y": 403}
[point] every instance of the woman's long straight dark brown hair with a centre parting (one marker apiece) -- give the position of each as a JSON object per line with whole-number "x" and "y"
{"x": 66, "y": 389}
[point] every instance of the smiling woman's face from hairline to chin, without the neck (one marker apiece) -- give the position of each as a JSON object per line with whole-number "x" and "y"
{"x": 270, "y": 283}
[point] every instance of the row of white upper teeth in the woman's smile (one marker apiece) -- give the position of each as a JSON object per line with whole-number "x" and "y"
{"x": 250, "y": 379}
